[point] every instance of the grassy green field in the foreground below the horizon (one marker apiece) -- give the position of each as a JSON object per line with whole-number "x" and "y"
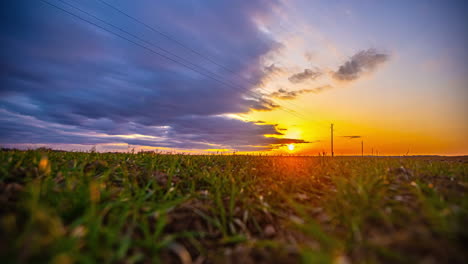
{"x": 71, "y": 207}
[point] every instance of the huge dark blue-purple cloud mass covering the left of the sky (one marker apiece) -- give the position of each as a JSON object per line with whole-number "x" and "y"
{"x": 65, "y": 81}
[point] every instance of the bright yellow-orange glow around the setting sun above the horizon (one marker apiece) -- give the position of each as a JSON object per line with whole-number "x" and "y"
{"x": 384, "y": 126}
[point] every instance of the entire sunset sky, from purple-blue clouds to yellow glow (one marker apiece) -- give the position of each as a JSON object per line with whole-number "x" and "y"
{"x": 256, "y": 76}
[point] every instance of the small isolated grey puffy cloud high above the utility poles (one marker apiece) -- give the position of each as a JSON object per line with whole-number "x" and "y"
{"x": 365, "y": 61}
